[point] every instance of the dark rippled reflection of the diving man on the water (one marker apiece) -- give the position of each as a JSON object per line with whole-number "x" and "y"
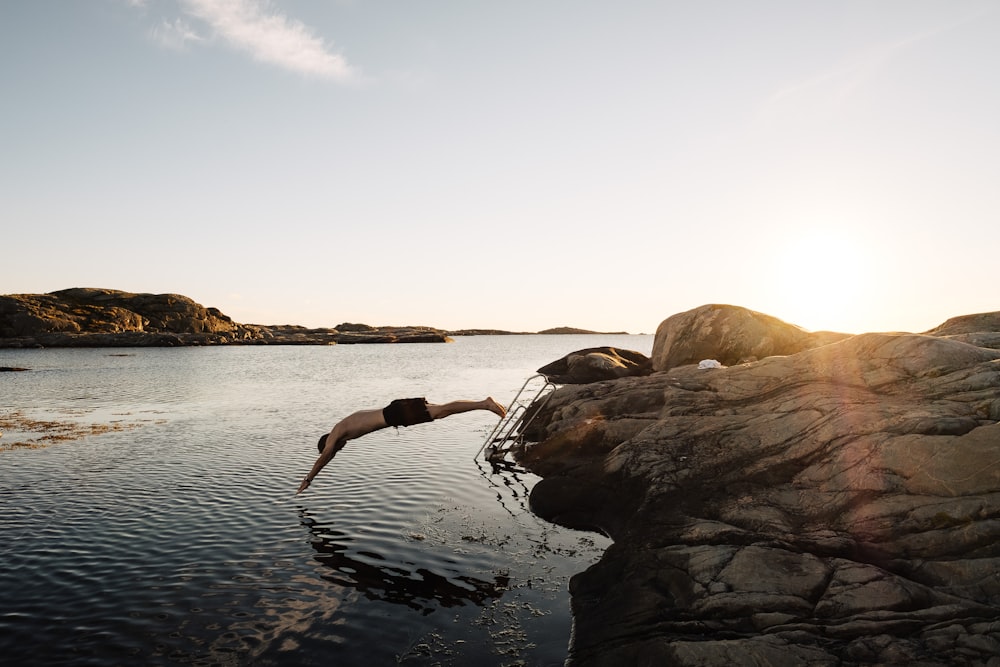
{"x": 418, "y": 588}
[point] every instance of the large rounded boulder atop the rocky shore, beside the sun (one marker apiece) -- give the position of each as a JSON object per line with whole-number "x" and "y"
{"x": 730, "y": 335}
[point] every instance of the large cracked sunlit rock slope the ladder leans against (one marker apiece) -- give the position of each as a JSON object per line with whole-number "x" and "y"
{"x": 835, "y": 505}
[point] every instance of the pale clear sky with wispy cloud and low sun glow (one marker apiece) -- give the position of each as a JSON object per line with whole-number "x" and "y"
{"x": 507, "y": 165}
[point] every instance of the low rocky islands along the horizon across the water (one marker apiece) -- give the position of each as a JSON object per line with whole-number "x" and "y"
{"x": 91, "y": 317}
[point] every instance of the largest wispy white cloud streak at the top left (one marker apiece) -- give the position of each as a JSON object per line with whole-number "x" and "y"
{"x": 271, "y": 37}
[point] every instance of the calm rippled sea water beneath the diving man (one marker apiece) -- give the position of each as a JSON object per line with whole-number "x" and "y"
{"x": 179, "y": 539}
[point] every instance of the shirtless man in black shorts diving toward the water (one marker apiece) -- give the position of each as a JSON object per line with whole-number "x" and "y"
{"x": 401, "y": 412}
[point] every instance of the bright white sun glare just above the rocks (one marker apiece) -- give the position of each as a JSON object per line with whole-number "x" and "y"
{"x": 820, "y": 282}
